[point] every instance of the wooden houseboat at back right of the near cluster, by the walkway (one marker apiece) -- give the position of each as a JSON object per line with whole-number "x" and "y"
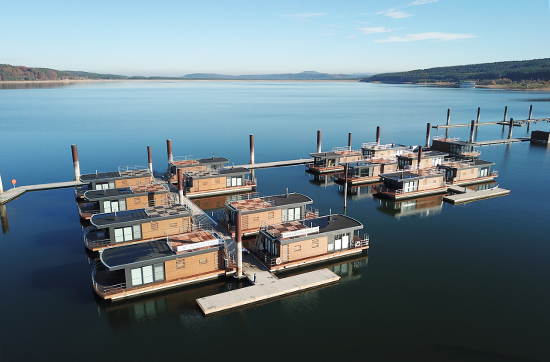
{"x": 216, "y": 182}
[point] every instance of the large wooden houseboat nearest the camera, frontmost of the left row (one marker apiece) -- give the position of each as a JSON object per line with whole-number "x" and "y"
{"x": 159, "y": 264}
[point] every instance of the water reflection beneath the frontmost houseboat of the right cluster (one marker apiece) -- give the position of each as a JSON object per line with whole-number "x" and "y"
{"x": 422, "y": 206}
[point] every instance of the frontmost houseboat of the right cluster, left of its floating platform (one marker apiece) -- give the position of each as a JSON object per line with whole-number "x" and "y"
{"x": 413, "y": 183}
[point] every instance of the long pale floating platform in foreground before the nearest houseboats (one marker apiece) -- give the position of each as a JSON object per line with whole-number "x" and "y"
{"x": 268, "y": 289}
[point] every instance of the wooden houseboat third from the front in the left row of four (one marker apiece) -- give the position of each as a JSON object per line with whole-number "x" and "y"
{"x": 127, "y": 198}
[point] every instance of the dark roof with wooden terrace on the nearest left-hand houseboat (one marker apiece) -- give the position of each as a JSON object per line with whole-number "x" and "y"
{"x": 160, "y": 249}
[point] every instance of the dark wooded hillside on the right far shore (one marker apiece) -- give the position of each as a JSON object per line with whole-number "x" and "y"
{"x": 499, "y": 72}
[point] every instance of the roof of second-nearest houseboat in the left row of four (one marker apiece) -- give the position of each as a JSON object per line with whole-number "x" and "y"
{"x": 130, "y": 217}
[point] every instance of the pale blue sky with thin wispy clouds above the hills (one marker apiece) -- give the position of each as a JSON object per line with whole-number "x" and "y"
{"x": 178, "y": 37}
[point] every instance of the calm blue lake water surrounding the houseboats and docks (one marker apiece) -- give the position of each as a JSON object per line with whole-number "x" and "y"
{"x": 447, "y": 283}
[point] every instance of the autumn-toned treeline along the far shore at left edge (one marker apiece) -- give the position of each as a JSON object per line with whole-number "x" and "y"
{"x": 19, "y": 73}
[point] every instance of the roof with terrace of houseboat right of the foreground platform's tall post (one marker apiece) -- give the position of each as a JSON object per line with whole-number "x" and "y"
{"x": 287, "y": 231}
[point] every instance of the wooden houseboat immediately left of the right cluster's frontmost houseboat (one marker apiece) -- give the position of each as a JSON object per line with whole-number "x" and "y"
{"x": 367, "y": 171}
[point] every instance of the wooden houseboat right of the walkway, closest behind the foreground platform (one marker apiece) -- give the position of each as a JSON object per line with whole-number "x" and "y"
{"x": 300, "y": 242}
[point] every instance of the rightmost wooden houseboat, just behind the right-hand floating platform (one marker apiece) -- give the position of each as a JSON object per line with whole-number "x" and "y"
{"x": 468, "y": 172}
